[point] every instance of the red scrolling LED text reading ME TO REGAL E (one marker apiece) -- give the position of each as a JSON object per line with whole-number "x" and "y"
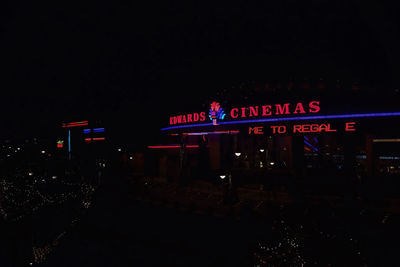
{"x": 302, "y": 128}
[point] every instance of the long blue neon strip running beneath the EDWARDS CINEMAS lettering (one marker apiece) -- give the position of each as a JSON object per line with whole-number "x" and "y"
{"x": 321, "y": 117}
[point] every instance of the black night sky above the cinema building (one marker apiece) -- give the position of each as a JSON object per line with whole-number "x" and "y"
{"x": 63, "y": 62}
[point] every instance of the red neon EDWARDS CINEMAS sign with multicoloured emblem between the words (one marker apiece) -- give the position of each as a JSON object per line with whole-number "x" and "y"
{"x": 216, "y": 112}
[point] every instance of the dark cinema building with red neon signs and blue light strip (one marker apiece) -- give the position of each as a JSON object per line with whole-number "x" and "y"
{"x": 310, "y": 138}
